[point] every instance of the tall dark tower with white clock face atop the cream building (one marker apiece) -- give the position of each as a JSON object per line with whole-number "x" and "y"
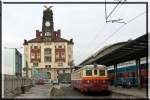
{"x": 47, "y": 24}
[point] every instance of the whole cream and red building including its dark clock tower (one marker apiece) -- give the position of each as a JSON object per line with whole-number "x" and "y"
{"x": 48, "y": 53}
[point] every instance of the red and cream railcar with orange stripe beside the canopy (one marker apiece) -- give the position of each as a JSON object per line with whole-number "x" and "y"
{"x": 90, "y": 78}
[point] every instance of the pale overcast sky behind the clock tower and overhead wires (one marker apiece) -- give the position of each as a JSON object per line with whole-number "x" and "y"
{"x": 85, "y": 23}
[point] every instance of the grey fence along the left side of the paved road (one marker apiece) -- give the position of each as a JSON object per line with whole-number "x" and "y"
{"x": 12, "y": 84}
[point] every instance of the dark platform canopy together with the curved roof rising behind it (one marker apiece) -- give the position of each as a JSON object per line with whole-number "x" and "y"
{"x": 121, "y": 52}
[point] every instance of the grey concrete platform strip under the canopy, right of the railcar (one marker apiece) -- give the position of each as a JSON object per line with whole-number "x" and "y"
{"x": 139, "y": 93}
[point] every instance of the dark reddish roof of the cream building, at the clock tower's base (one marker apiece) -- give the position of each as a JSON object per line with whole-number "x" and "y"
{"x": 46, "y": 39}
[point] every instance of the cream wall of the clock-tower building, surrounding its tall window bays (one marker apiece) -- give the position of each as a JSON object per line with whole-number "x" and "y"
{"x": 54, "y": 65}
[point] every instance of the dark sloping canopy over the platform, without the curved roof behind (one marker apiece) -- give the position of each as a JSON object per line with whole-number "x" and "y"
{"x": 134, "y": 49}
